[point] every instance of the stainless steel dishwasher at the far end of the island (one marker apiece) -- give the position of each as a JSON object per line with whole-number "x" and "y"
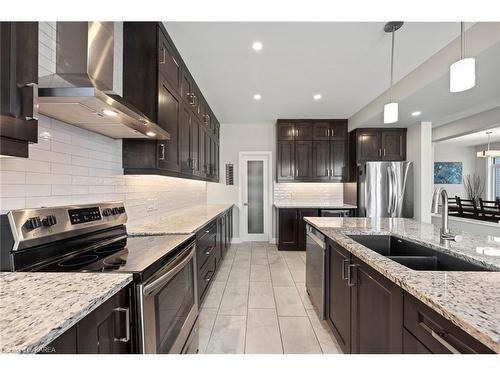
{"x": 315, "y": 269}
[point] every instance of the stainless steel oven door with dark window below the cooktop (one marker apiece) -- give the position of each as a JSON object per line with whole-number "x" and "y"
{"x": 170, "y": 305}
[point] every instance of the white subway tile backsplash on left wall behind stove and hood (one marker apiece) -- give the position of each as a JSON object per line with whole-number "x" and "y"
{"x": 70, "y": 165}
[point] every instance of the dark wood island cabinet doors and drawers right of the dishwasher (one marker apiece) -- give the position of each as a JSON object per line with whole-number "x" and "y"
{"x": 370, "y": 314}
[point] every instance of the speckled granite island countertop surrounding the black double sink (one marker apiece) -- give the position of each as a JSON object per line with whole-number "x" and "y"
{"x": 469, "y": 299}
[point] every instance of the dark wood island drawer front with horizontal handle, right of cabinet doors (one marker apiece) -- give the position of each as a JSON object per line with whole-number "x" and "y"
{"x": 435, "y": 332}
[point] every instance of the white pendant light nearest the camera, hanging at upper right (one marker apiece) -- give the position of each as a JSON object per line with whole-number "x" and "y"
{"x": 463, "y": 71}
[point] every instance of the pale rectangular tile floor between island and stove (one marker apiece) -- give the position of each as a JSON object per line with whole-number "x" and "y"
{"x": 258, "y": 304}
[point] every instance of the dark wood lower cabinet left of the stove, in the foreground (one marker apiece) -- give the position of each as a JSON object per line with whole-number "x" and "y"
{"x": 106, "y": 330}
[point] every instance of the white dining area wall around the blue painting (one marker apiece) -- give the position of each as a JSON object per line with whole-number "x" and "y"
{"x": 452, "y": 153}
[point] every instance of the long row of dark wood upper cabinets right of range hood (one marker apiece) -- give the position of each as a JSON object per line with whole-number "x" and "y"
{"x": 158, "y": 83}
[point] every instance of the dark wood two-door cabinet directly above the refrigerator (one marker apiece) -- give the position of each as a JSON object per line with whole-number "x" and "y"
{"x": 380, "y": 144}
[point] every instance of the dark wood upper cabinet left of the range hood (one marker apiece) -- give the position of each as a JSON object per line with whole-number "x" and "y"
{"x": 19, "y": 87}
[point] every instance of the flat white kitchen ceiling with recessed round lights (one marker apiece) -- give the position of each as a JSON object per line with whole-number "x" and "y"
{"x": 347, "y": 62}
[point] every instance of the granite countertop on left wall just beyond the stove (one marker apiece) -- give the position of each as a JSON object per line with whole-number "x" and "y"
{"x": 185, "y": 221}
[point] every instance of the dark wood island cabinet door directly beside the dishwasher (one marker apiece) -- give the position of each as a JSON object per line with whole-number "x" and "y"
{"x": 338, "y": 309}
